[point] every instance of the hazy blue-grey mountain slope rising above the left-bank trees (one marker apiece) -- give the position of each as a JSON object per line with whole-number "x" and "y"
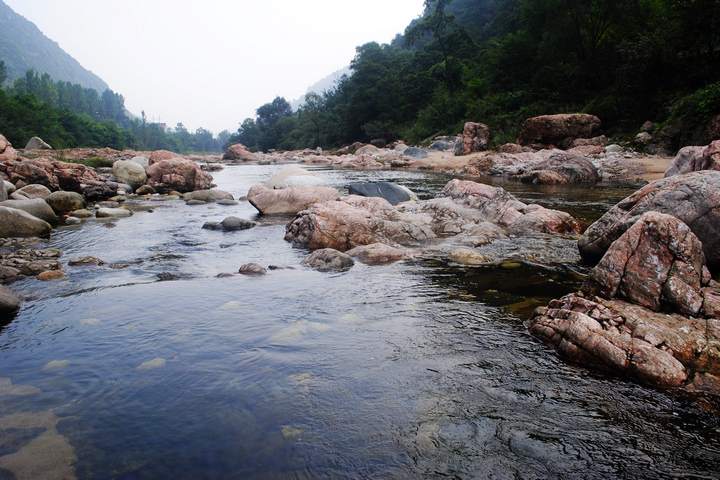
{"x": 23, "y": 46}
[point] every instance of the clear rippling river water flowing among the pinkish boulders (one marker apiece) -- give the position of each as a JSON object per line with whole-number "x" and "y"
{"x": 152, "y": 367}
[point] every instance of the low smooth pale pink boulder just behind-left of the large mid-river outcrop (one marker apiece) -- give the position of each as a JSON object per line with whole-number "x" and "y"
{"x": 289, "y": 200}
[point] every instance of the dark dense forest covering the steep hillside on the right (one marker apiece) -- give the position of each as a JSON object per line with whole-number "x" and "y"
{"x": 502, "y": 61}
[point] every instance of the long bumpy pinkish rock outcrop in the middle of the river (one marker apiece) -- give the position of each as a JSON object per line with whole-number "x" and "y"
{"x": 475, "y": 213}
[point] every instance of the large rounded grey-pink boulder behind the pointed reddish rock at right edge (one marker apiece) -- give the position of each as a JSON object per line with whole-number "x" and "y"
{"x": 693, "y": 198}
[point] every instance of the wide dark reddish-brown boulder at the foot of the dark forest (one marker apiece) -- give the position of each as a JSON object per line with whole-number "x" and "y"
{"x": 559, "y": 130}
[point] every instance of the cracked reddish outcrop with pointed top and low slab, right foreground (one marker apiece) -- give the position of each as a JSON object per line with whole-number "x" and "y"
{"x": 649, "y": 310}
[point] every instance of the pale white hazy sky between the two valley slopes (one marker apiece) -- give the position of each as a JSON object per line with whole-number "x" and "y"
{"x": 211, "y": 63}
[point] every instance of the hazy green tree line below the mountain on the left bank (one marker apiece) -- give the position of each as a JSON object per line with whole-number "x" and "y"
{"x": 69, "y": 115}
